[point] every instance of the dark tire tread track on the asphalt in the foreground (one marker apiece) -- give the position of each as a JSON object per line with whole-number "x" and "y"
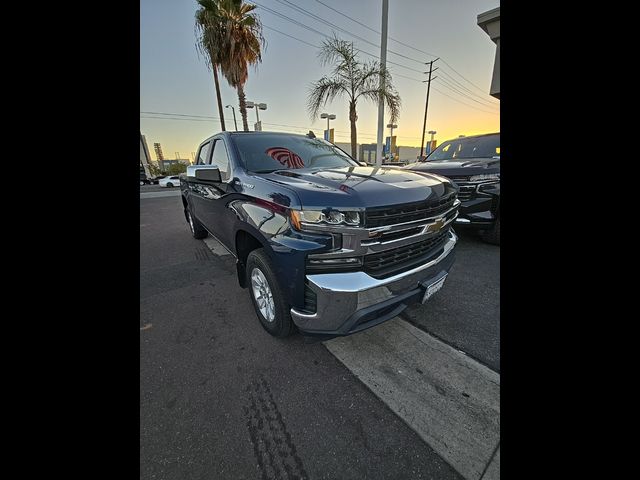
{"x": 272, "y": 443}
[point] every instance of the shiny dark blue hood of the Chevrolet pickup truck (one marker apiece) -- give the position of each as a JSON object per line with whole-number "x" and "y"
{"x": 360, "y": 187}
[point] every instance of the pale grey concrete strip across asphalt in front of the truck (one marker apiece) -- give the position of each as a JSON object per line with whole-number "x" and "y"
{"x": 447, "y": 398}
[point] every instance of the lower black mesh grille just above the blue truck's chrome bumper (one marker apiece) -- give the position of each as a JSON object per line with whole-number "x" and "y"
{"x": 390, "y": 262}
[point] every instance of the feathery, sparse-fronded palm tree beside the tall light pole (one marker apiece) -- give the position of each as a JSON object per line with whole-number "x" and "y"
{"x": 354, "y": 79}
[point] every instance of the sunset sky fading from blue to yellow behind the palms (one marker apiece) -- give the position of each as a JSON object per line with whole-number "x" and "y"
{"x": 174, "y": 80}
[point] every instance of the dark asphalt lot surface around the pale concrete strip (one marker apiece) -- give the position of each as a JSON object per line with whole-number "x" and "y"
{"x": 219, "y": 398}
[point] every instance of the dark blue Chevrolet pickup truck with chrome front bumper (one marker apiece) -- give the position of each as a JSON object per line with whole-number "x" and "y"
{"x": 322, "y": 243}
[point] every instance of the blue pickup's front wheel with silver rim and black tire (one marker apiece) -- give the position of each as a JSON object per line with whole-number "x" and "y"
{"x": 277, "y": 320}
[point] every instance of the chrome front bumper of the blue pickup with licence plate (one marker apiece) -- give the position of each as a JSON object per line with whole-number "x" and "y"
{"x": 352, "y": 301}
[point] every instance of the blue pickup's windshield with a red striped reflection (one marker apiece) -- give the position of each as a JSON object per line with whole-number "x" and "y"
{"x": 264, "y": 153}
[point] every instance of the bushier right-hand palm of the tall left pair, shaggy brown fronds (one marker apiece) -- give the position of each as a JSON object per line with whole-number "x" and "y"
{"x": 244, "y": 42}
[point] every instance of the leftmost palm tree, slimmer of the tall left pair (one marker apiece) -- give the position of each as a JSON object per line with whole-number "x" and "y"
{"x": 211, "y": 42}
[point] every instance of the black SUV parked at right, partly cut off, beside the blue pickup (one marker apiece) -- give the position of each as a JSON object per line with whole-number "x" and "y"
{"x": 473, "y": 164}
